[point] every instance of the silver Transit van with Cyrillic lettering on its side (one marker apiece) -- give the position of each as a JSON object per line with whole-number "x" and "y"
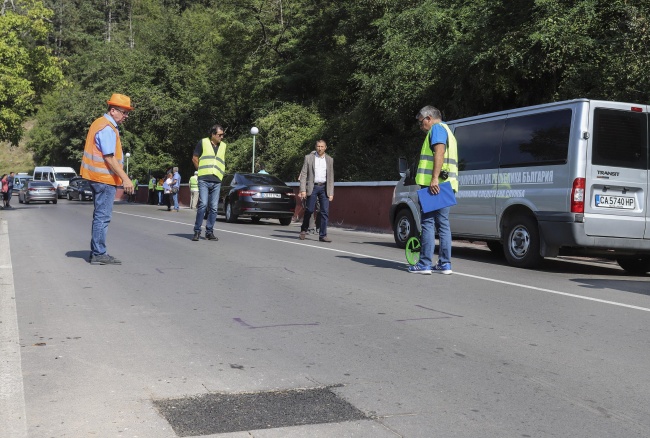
{"x": 555, "y": 179}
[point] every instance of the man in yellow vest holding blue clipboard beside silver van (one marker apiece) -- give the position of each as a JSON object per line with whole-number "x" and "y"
{"x": 437, "y": 173}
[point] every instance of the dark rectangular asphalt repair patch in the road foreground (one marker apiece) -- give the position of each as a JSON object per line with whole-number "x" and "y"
{"x": 214, "y": 413}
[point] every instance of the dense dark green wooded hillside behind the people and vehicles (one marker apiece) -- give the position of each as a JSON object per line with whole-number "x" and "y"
{"x": 353, "y": 71}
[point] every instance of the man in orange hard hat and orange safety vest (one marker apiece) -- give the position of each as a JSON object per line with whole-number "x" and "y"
{"x": 102, "y": 165}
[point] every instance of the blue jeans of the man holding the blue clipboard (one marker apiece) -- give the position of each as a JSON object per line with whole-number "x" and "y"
{"x": 438, "y": 219}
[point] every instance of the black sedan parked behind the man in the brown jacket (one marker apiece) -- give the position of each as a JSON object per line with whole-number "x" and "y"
{"x": 256, "y": 195}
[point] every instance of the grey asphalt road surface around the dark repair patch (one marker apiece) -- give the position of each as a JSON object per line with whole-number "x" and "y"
{"x": 490, "y": 351}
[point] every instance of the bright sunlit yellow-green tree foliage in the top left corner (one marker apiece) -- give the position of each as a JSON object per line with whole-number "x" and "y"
{"x": 27, "y": 68}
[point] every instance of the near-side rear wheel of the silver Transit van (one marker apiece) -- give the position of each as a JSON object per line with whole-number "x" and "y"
{"x": 522, "y": 242}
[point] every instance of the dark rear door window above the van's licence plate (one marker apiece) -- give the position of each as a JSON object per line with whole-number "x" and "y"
{"x": 620, "y": 138}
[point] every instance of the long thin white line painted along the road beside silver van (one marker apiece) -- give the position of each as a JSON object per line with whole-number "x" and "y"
{"x": 493, "y": 280}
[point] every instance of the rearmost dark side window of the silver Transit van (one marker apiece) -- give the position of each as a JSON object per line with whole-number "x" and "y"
{"x": 536, "y": 140}
